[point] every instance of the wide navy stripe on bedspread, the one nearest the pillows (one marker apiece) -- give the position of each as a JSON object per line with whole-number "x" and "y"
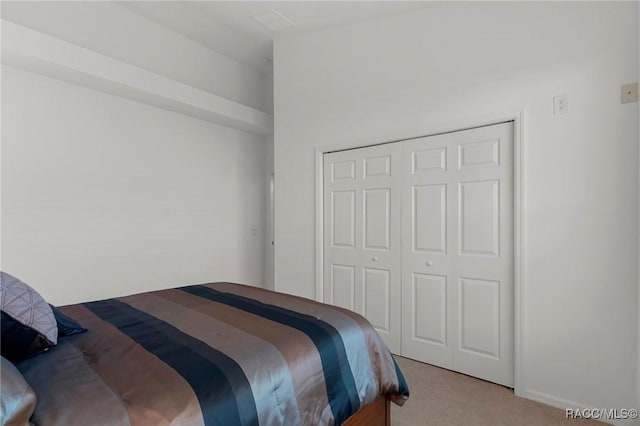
{"x": 229, "y": 402}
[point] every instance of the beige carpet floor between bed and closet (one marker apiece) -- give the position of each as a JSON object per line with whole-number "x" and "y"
{"x": 443, "y": 397}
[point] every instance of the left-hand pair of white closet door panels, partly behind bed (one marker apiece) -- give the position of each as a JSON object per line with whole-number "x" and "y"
{"x": 362, "y": 263}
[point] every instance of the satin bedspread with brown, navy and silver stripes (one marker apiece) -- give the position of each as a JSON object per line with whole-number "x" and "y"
{"x": 212, "y": 354}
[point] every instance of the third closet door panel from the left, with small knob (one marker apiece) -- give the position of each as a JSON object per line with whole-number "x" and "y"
{"x": 428, "y": 239}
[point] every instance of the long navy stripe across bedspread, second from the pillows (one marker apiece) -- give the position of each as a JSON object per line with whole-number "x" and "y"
{"x": 341, "y": 388}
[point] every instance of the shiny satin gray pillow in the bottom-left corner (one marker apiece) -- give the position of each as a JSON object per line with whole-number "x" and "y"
{"x": 17, "y": 399}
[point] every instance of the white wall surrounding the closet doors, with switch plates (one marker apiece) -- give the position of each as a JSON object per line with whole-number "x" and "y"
{"x": 458, "y": 64}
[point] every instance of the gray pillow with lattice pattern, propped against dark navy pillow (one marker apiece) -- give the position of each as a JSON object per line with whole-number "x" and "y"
{"x": 25, "y": 305}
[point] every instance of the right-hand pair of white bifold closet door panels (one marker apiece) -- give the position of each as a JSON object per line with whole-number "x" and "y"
{"x": 457, "y": 279}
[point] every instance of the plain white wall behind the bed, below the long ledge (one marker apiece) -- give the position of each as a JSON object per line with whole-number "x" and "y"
{"x": 102, "y": 196}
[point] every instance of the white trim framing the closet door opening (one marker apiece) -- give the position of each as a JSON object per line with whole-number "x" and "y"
{"x": 518, "y": 118}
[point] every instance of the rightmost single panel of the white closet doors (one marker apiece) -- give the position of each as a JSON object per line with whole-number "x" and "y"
{"x": 485, "y": 253}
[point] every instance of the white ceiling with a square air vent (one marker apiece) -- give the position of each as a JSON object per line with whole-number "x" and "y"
{"x": 229, "y": 27}
